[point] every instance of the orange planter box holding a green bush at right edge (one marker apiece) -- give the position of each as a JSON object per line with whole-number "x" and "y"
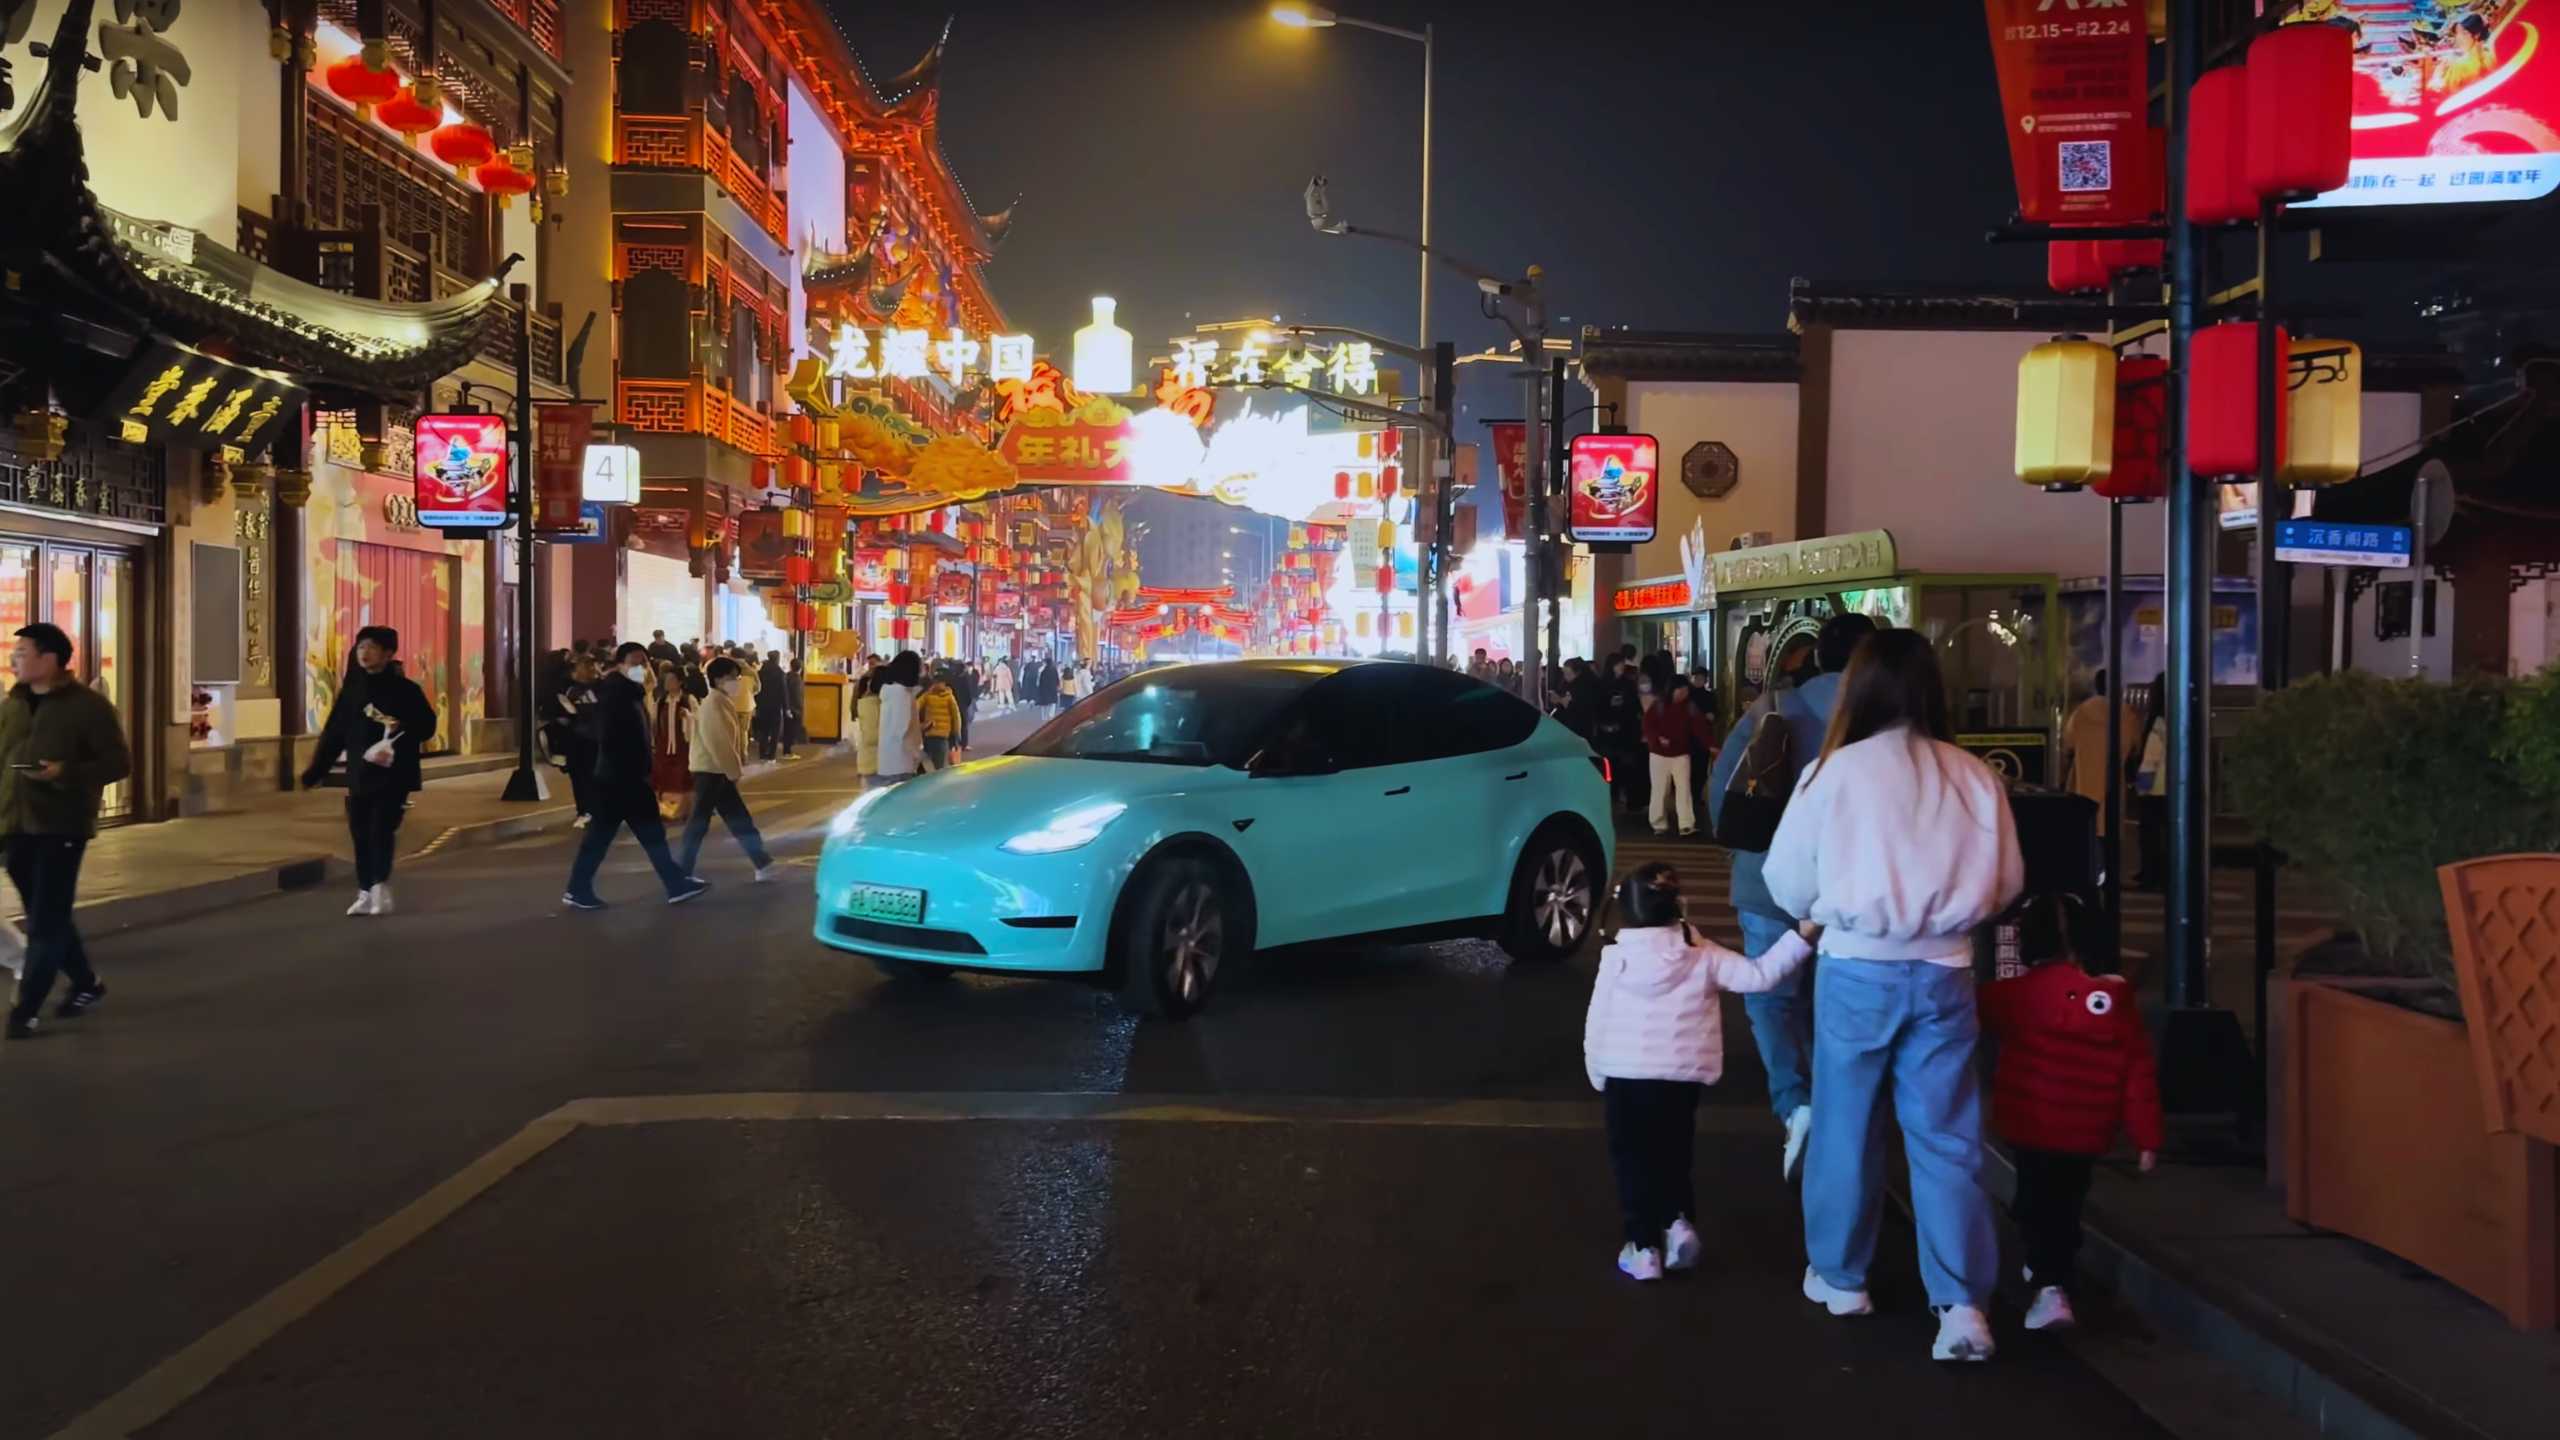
{"x": 2387, "y": 1141}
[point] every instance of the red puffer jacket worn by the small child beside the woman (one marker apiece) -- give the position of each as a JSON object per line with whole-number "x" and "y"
{"x": 2075, "y": 1062}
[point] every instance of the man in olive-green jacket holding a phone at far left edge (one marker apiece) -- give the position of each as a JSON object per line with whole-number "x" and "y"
{"x": 60, "y": 744}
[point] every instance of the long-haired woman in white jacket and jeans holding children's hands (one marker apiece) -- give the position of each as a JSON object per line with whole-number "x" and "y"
{"x": 1898, "y": 847}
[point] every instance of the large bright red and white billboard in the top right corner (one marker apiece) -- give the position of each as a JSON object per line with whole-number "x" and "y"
{"x": 2454, "y": 104}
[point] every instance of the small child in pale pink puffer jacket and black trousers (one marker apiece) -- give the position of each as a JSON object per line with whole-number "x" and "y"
{"x": 1652, "y": 1039}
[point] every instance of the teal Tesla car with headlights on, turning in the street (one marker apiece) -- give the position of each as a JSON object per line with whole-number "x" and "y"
{"x": 1184, "y": 819}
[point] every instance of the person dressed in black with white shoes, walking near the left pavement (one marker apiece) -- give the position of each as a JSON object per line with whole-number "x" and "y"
{"x": 378, "y": 721}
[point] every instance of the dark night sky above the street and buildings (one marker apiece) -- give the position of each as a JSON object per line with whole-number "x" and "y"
{"x": 1668, "y": 173}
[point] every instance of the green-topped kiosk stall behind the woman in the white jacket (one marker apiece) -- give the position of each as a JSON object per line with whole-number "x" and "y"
{"x": 1752, "y": 611}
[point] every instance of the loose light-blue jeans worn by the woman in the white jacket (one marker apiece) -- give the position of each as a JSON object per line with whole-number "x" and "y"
{"x": 1906, "y": 1031}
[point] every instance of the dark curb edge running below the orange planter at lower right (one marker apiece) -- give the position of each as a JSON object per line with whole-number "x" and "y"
{"x": 2321, "y": 1385}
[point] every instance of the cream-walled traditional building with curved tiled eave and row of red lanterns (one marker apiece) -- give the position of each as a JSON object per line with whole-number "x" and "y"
{"x": 242, "y": 255}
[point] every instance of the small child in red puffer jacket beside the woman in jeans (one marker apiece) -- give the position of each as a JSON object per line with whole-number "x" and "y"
{"x": 2075, "y": 1070}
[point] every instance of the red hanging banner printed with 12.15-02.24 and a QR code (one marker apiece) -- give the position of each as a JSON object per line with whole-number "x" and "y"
{"x": 2072, "y": 88}
